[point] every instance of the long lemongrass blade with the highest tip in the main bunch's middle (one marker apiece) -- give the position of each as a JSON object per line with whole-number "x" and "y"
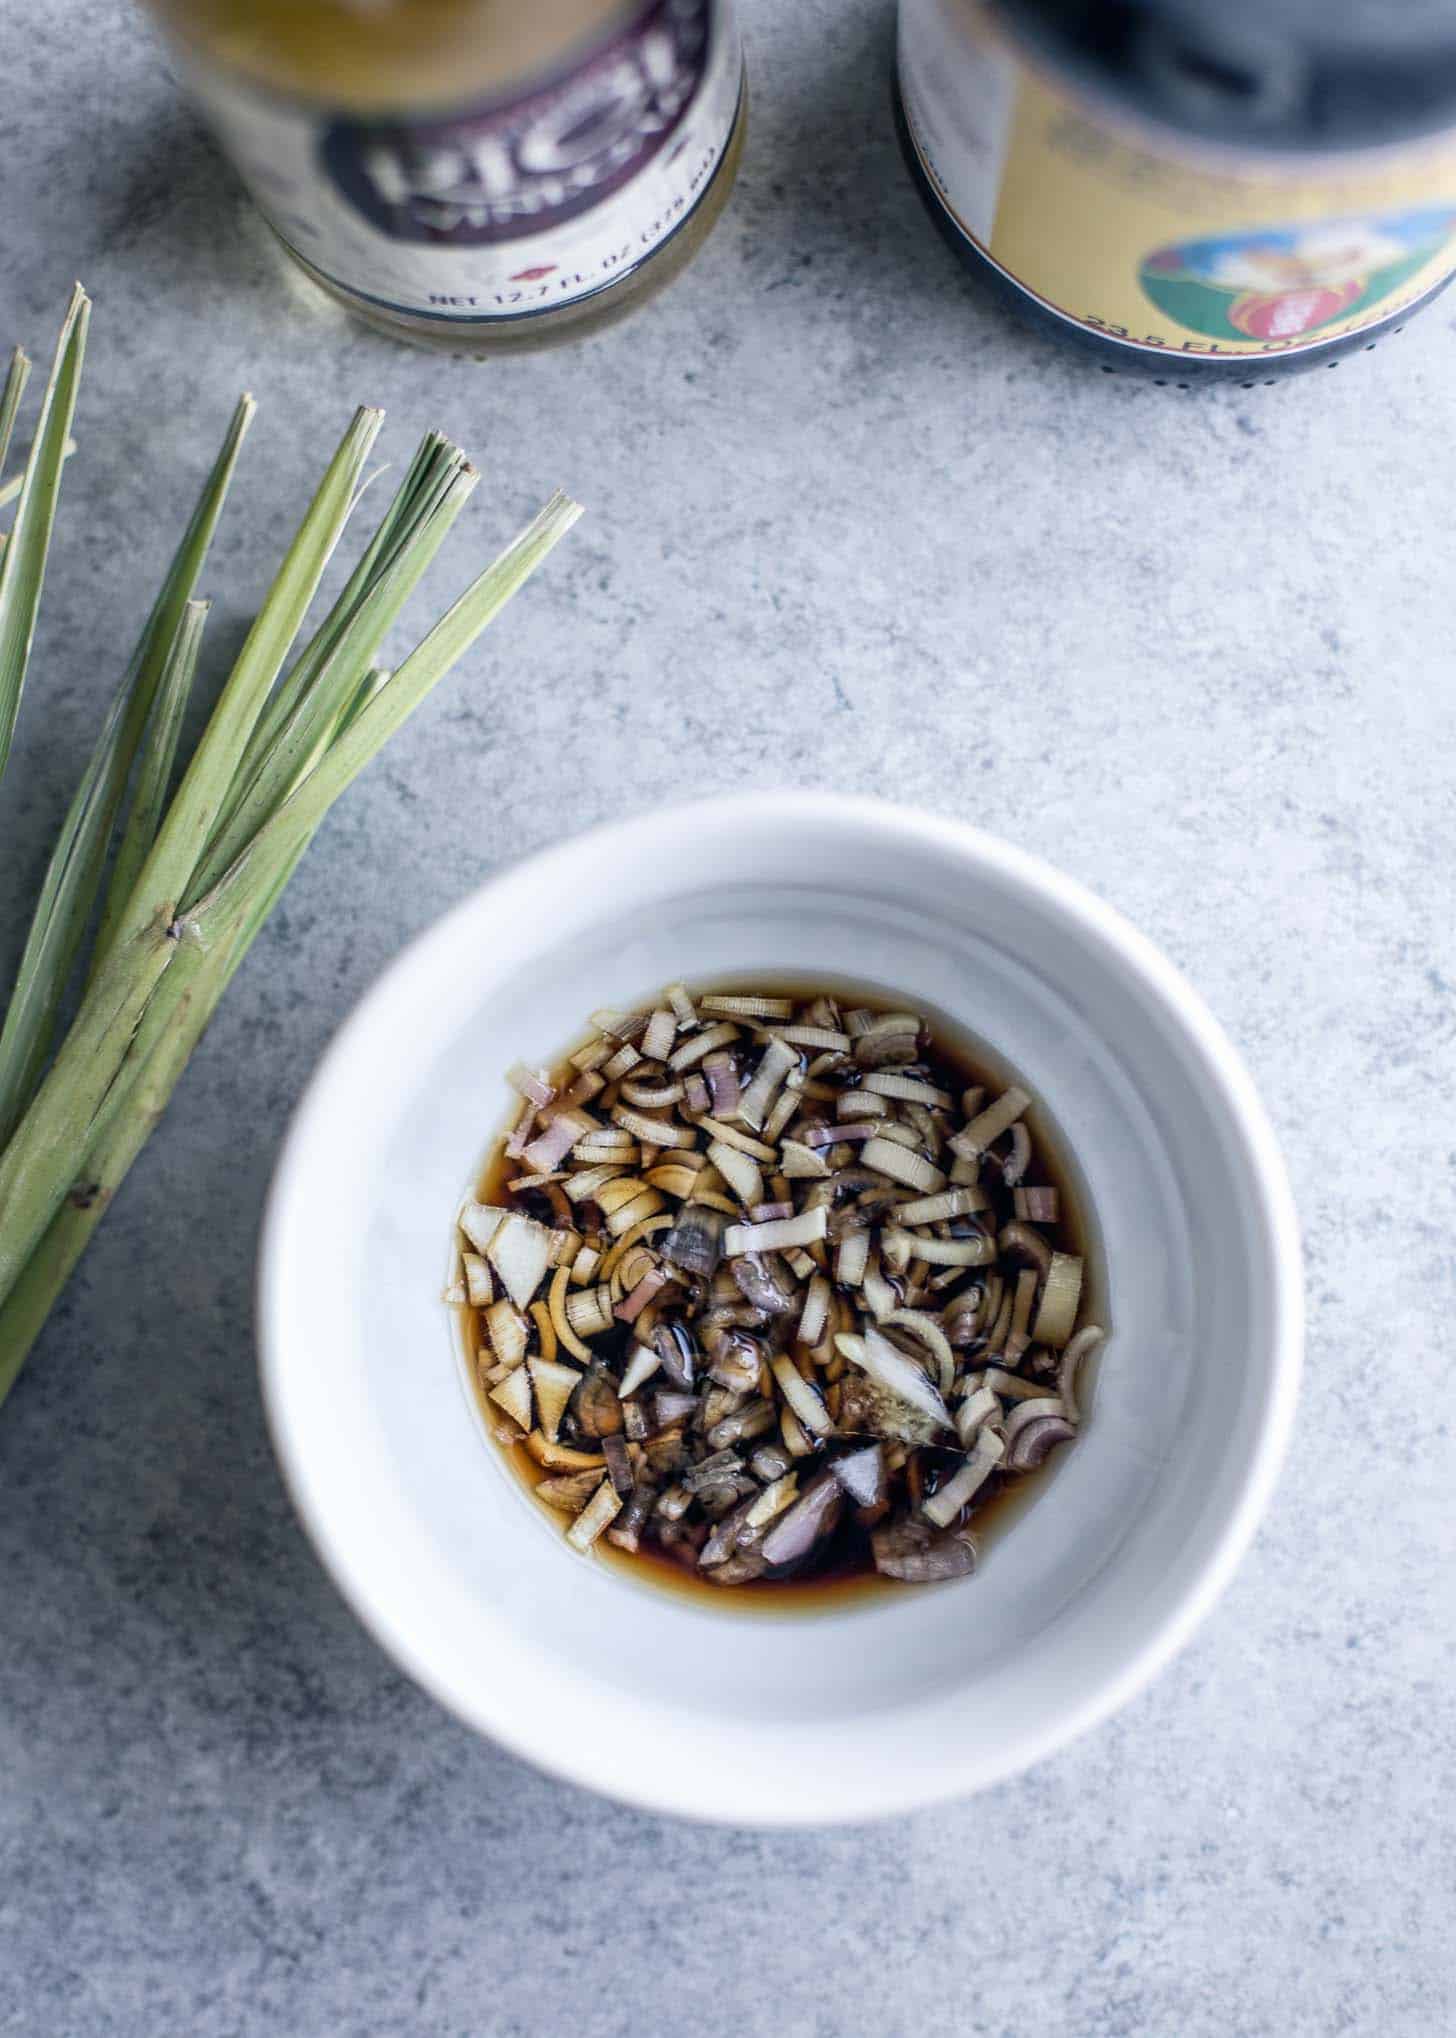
{"x": 203, "y": 794}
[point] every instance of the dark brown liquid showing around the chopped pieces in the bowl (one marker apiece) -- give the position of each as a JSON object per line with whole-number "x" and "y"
{"x": 845, "y": 1566}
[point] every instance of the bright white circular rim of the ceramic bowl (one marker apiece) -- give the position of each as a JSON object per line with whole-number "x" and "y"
{"x": 1155, "y": 979}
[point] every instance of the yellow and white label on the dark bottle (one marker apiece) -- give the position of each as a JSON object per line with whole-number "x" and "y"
{"x": 1129, "y": 235}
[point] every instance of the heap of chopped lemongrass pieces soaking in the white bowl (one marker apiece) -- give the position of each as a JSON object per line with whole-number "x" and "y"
{"x": 790, "y": 1328}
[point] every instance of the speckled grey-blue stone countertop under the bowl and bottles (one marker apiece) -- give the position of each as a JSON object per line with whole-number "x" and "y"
{"x": 847, "y": 529}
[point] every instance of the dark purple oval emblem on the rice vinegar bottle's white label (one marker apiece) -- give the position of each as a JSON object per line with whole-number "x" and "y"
{"x": 497, "y": 174}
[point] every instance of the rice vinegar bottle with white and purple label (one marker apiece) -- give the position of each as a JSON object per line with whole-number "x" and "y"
{"x": 476, "y": 174}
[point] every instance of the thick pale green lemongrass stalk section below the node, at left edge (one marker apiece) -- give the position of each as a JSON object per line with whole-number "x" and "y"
{"x": 79, "y": 1093}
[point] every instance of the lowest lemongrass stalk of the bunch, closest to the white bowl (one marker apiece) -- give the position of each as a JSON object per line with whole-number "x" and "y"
{"x": 146, "y": 1089}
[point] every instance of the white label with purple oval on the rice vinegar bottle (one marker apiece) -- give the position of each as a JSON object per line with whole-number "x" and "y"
{"x": 509, "y": 209}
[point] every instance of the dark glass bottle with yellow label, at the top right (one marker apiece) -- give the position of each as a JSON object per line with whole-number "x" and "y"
{"x": 1194, "y": 189}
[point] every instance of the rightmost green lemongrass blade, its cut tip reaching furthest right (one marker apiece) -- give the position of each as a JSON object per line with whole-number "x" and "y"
{"x": 382, "y": 716}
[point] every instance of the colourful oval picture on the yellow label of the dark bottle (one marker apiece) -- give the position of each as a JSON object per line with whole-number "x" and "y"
{"x": 1284, "y": 282}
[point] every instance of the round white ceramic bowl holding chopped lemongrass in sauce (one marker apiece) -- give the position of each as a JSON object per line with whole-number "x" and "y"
{"x": 890, "y": 1703}
